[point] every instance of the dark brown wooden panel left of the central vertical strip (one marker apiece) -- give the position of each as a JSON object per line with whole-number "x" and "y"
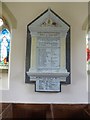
{"x": 30, "y": 111}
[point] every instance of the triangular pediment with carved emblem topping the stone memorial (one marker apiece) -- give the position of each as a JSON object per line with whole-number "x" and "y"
{"x": 48, "y": 20}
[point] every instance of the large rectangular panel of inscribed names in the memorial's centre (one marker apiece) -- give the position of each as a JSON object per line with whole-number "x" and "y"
{"x": 48, "y": 53}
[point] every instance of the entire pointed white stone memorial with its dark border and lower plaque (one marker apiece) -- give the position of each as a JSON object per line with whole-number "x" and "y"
{"x": 48, "y": 52}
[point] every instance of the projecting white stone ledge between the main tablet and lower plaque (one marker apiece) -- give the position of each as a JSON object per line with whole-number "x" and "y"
{"x": 35, "y": 74}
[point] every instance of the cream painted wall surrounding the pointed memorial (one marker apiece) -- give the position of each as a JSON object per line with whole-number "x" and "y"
{"x": 75, "y": 14}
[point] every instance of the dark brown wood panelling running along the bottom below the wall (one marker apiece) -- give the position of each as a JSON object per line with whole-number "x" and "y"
{"x": 45, "y": 111}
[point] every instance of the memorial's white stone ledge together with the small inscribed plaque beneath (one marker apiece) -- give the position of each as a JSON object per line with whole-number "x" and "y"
{"x": 47, "y": 80}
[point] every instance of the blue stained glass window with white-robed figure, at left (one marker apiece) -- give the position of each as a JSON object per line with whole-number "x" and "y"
{"x": 4, "y": 48}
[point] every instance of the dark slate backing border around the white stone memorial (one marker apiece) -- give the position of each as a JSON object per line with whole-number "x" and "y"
{"x": 28, "y": 51}
